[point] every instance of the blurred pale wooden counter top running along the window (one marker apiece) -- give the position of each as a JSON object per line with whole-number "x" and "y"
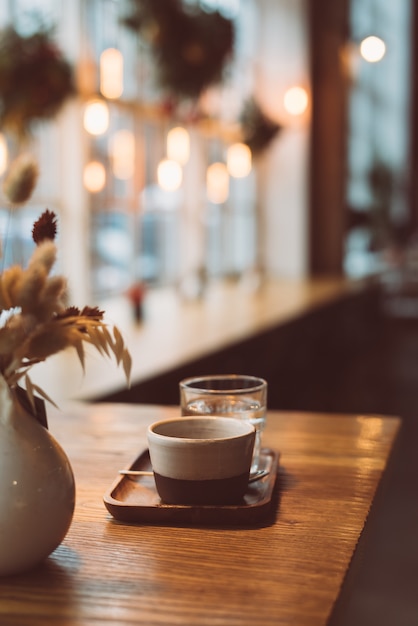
{"x": 175, "y": 332}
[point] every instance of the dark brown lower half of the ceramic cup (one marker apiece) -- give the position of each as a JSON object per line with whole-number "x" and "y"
{"x": 218, "y": 491}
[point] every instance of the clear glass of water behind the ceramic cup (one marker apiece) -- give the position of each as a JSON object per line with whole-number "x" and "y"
{"x": 233, "y": 395}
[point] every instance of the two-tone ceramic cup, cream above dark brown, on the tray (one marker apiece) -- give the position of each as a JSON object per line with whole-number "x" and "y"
{"x": 201, "y": 460}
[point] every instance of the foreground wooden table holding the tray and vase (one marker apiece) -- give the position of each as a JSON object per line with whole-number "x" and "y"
{"x": 288, "y": 570}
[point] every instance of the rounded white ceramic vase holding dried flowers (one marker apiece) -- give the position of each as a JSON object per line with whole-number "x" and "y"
{"x": 37, "y": 489}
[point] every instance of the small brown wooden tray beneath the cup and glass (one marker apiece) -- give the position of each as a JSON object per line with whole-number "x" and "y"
{"x": 135, "y": 499}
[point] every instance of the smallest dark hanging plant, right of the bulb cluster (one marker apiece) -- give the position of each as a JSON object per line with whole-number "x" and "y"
{"x": 257, "y": 129}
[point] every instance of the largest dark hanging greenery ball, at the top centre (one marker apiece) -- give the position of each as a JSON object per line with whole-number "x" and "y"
{"x": 191, "y": 47}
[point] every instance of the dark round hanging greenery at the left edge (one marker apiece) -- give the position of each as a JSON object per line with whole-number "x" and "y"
{"x": 35, "y": 79}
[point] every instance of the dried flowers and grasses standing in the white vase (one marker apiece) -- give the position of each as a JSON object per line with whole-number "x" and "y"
{"x": 35, "y": 321}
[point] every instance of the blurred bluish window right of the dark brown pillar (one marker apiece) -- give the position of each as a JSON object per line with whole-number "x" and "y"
{"x": 378, "y": 136}
